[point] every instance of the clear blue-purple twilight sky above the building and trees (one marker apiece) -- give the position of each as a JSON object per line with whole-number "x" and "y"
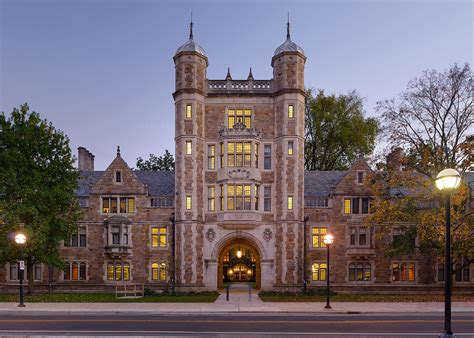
{"x": 102, "y": 70}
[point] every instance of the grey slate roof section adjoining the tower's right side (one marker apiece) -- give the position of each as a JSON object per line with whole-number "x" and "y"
{"x": 319, "y": 183}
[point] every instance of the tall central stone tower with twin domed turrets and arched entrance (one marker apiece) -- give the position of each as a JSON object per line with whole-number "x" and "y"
{"x": 239, "y": 172}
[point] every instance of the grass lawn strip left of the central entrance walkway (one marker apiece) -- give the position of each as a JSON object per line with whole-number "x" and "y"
{"x": 201, "y": 297}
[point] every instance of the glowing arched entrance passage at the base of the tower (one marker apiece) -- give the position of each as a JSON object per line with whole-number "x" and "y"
{"x": 239, "y": 262}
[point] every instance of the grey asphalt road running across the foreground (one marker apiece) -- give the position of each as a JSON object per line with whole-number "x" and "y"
{"x": 248, "y": 325}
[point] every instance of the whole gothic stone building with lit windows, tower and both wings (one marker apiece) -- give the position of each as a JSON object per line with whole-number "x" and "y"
{"x": 239, "y": 206}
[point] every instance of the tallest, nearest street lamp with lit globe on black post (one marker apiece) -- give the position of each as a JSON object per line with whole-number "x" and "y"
{"x": 446, "y": 181}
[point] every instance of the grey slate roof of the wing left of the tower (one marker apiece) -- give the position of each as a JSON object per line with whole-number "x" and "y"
{"x": 160, "y": 183}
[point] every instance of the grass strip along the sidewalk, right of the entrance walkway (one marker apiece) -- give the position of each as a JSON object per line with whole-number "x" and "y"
{"x": 268, "y": 296}
